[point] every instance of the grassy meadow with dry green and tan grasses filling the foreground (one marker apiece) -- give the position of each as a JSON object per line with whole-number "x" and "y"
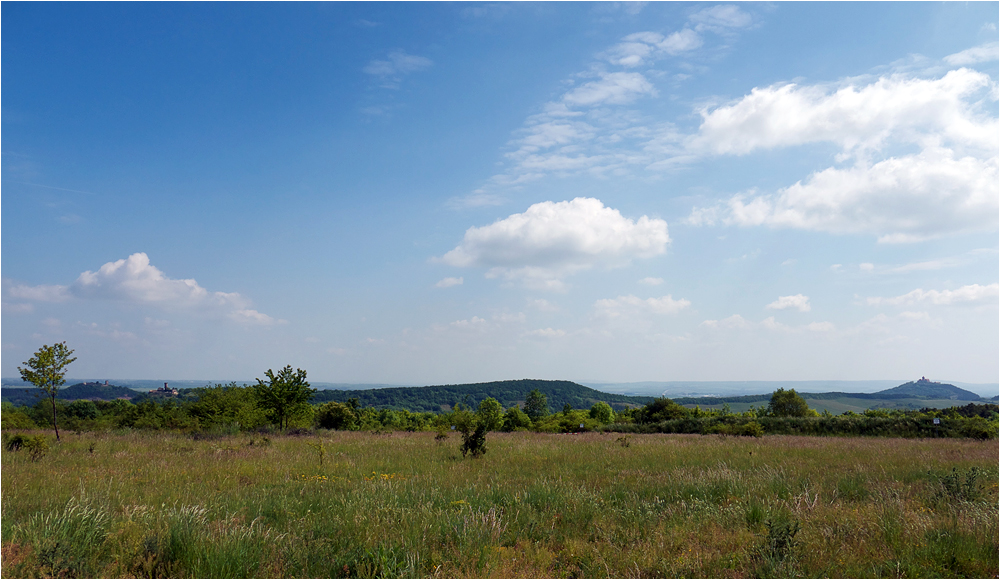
{"x": 362, "y": 504}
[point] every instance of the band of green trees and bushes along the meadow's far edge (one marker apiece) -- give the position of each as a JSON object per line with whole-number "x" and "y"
{"x": 228, "y": 409}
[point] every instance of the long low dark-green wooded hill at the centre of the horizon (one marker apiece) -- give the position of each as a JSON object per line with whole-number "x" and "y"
{"x": 442, "y": 398}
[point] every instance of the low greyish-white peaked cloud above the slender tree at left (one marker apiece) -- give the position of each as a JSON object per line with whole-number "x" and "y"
{"x": 134, "y": 280}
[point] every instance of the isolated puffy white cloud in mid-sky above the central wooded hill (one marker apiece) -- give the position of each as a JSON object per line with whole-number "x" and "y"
{"x": 552, "y": 240}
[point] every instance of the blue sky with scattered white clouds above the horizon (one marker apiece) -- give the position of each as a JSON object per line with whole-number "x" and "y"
{"x": 437, "y": 193}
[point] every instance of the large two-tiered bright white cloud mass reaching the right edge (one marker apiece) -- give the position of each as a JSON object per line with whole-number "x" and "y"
{"x": 949, "y": 186}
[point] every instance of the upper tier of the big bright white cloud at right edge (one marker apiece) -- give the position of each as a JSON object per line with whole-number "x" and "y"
{"x": 913, "y": 110}
